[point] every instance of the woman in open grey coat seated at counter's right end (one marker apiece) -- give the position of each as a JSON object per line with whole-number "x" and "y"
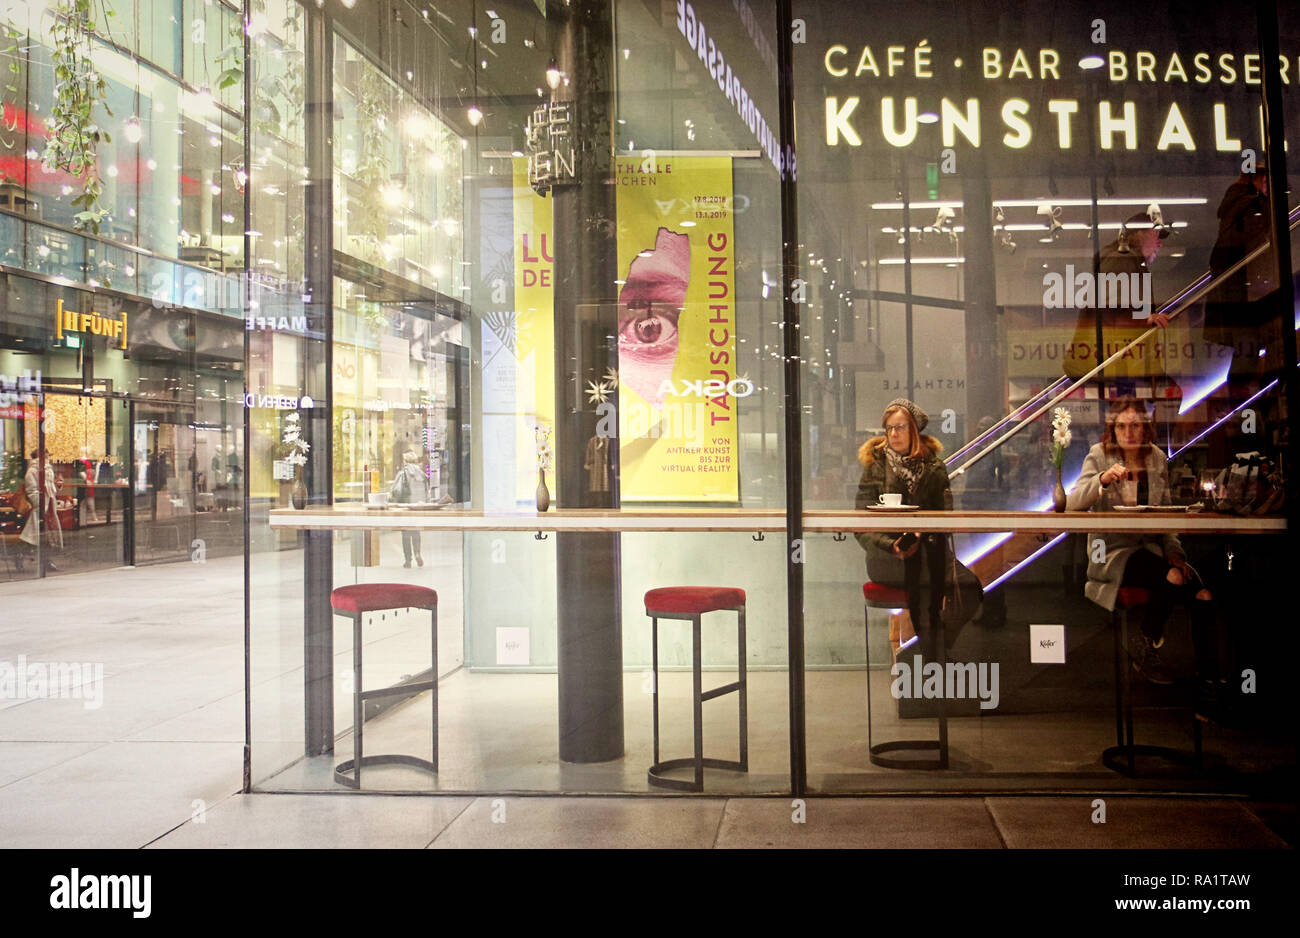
{"x": 1126, "y": 470}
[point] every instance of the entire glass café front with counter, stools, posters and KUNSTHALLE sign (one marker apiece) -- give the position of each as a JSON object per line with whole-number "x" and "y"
{"x": 562, "y": 284}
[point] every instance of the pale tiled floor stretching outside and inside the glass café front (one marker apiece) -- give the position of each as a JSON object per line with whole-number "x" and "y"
{"x": 159, "y": 762}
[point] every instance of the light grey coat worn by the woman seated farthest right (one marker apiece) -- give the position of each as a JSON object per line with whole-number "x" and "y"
{"x": 1104, "y": 579}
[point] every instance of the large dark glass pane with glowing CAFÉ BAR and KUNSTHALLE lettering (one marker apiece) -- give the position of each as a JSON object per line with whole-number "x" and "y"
{"x": 1030, "y": 201}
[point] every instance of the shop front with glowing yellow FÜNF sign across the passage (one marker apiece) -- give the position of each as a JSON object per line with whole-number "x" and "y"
{"x": 132, "y": 414}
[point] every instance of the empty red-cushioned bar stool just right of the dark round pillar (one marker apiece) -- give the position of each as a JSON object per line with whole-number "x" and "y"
{"x": 691, "y": 603}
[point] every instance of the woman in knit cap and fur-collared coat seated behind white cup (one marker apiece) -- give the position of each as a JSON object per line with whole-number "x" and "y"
{"x": 907, "y": 462}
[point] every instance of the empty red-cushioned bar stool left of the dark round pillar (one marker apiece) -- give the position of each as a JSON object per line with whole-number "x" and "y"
{"x": 356, "y": 602}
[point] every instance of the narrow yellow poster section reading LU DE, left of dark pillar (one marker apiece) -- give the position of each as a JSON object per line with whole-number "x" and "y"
{"x": 535, "y": 328}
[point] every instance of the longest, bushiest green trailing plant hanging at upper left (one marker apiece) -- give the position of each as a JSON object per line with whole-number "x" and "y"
{"x": 75, "y": 134}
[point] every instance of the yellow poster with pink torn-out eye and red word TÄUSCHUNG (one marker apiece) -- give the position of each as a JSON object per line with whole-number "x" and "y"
{"x": 678, "y": 383}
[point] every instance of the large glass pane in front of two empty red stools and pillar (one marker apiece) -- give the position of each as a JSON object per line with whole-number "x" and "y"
{"x": 501, "y": 336}
